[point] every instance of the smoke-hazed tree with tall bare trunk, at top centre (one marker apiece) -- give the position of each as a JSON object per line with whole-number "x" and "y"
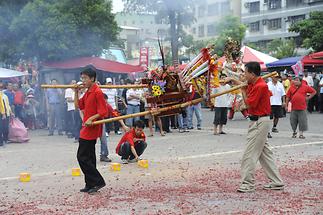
{"x": 176, "y": 13}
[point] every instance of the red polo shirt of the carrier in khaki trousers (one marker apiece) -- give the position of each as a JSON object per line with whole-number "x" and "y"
{"x": 258, "y": 98}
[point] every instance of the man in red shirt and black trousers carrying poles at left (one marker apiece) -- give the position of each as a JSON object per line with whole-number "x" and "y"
{"x": 94, "y": 107}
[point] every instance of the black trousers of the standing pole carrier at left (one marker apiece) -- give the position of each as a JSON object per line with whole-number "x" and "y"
{"x": 87, "y": 160}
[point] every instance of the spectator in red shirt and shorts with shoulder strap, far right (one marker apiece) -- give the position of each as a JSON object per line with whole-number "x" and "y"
{"x": 298, "y": 94}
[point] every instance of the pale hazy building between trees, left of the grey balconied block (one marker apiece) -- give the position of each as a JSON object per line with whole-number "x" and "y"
{"x": 208, "y": 13}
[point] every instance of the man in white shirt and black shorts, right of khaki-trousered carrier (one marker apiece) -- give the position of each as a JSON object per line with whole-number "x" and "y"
{"x": 277, "y": 101}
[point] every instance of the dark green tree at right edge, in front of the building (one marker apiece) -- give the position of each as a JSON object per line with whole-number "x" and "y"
{"x": 310, "y": 30}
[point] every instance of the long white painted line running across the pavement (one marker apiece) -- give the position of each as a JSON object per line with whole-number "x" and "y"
{"x": 178, "y": 158}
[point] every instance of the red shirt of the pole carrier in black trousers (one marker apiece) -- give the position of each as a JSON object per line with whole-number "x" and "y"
{"x": 92, "y": 103}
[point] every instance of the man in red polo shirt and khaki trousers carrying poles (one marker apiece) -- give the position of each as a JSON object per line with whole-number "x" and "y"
{"x": 257, "y": 99}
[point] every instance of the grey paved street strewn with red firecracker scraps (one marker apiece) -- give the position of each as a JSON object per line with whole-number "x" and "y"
{"x": 189, "y": 173}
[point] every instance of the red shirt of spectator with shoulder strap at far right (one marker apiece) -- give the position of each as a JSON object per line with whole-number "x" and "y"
{"x": 298, "y": 98}
